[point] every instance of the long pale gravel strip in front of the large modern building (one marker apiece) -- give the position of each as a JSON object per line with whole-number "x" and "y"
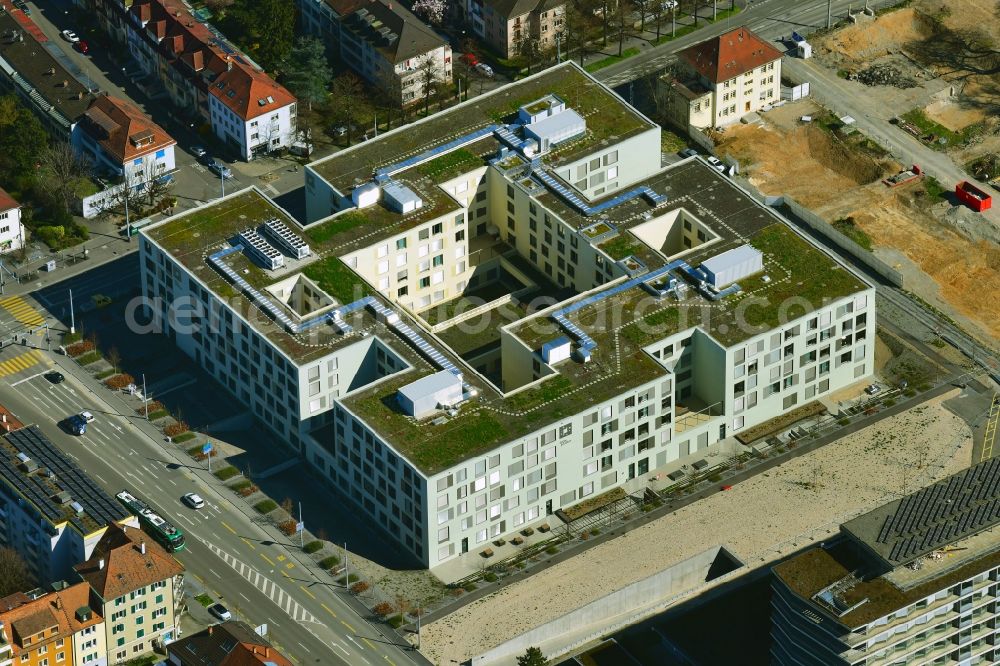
{"x": 758, "y": 521}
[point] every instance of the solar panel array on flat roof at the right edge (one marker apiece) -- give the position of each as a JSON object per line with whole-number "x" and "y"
{"x": 949, "y": 510}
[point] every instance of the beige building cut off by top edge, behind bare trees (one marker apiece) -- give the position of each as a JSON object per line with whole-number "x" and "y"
{"x": 507, "y": 24}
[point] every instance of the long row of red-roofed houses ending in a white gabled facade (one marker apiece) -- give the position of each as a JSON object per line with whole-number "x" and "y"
{"x": 205, "y": 78}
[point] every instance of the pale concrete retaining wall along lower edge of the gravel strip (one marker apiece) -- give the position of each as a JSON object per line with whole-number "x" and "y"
{"x": 614, "y": 611}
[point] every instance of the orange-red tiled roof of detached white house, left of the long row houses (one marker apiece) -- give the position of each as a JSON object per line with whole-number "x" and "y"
{"x": 119, "y": 127}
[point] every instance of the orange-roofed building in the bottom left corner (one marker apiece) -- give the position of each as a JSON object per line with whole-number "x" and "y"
{"x": 54, "y": 627}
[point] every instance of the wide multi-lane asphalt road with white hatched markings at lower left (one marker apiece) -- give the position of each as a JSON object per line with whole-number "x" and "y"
{"x": 245, "y": 564}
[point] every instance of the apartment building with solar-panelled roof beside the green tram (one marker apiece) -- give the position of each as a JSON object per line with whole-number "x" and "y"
{"x": 51, "y": 512}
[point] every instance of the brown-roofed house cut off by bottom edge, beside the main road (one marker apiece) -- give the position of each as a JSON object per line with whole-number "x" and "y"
{"x": 231, "y": 643}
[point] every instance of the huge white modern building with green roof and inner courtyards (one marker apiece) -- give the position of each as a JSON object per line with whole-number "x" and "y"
{"x": 507, "y": 308}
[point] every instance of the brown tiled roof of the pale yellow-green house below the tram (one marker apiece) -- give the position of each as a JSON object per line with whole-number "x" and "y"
{"x": 126, "y": 567}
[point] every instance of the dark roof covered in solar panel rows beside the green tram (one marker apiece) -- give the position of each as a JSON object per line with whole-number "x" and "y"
{"x": 38, "y": 488}
